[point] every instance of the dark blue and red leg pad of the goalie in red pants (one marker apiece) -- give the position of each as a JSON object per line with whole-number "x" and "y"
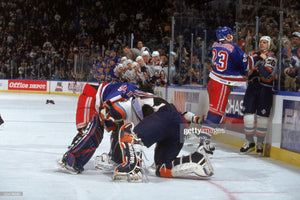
{"x": 82, "y": 150}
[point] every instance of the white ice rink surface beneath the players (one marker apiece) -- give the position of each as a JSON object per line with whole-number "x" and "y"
{"x": 35, "y": 135}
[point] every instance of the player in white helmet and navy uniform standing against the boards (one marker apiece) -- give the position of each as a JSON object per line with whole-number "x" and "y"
{"x": 259, "y": 96}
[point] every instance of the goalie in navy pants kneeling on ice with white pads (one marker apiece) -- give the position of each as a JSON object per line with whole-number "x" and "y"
{"x": 160, "y": 125}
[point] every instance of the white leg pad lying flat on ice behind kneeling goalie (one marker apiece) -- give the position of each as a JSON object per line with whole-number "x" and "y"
{"x": 197, "y": 163}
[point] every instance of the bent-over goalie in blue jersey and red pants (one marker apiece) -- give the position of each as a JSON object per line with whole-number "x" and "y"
{"x": 91, "y": 123}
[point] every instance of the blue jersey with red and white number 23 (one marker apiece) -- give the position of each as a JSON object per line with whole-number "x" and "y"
{"x": 230, "y": 64}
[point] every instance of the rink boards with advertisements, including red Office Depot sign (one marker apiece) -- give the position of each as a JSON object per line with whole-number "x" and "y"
{"x": 283, "y": 138}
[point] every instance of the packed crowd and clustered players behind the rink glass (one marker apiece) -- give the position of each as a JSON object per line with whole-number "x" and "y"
{"x": 89, "y": 40}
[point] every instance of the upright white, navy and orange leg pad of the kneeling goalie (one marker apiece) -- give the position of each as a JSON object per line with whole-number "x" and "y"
{"x": 129, "y": 169}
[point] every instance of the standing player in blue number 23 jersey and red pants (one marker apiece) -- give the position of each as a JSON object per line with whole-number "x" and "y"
{"x": 230, "y": 64}
